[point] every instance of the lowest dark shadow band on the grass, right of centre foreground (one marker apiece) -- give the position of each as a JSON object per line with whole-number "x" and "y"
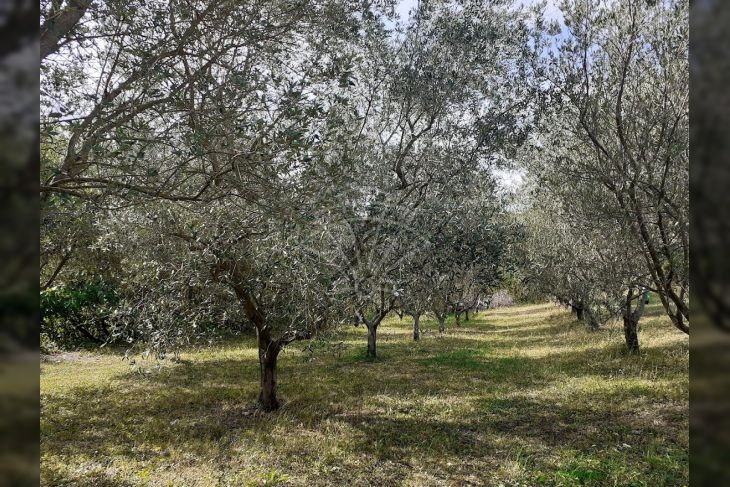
{"x": 520, "y": 421}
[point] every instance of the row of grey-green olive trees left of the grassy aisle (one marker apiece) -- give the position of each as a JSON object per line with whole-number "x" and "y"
{"x": 291, "y": 165}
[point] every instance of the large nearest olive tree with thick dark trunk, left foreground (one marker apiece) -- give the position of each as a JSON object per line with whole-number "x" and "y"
{"x": 195, "y": 136}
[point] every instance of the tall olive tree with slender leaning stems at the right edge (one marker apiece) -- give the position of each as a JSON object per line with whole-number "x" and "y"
{"x": 621, "y": 79}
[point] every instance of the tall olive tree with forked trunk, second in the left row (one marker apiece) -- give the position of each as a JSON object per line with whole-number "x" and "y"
{"x": 431, "y": 106}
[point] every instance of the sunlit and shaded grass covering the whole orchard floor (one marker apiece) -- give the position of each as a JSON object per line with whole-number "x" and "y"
{"x": 518, "y": 396}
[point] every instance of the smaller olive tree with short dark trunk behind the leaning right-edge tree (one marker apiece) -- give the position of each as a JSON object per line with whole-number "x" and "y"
{"x": 584, "y": 262}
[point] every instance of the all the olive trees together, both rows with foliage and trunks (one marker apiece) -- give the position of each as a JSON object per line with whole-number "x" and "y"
{"x": 286, "y": 167}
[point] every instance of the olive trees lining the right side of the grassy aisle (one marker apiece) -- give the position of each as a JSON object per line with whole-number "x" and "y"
{"x": 609, "y": 215}
